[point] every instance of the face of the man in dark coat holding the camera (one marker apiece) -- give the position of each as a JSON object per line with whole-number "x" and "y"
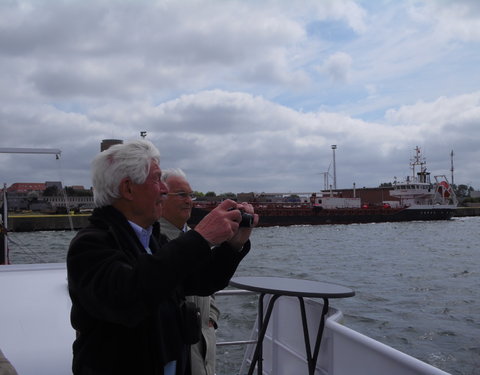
{"x": 149, "y": 197}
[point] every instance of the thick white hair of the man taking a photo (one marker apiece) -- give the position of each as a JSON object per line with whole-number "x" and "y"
{"x": 131, "y": 159}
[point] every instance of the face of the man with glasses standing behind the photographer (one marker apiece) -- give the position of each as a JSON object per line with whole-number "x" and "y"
{"x": 177, "y": 208}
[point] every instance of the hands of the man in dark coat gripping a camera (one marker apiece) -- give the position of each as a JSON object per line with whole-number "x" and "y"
{"x": 222, "y": 224}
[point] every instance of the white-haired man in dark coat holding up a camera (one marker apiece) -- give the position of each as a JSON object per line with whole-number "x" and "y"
{"x": 127, "y": 283}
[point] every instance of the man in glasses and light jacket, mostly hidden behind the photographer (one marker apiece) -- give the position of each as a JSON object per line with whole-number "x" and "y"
{"x": 177, "y": 209}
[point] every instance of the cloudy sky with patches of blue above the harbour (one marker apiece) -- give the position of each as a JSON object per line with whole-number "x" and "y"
{"x": 243, "y": 95}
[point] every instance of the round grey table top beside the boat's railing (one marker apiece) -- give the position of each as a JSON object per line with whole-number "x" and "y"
{"x": 291, "y": 287}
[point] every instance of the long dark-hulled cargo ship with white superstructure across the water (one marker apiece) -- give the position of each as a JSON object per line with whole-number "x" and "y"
{"x": 415, "y": 198}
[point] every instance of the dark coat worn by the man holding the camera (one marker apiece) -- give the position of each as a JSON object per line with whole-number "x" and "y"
{"x": 125, "y": 302}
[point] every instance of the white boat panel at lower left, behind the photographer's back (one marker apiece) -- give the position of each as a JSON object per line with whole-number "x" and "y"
{"x": 36, "y": 335}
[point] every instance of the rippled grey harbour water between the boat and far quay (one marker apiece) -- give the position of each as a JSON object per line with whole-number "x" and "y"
{"x": 416, "y": 283}
